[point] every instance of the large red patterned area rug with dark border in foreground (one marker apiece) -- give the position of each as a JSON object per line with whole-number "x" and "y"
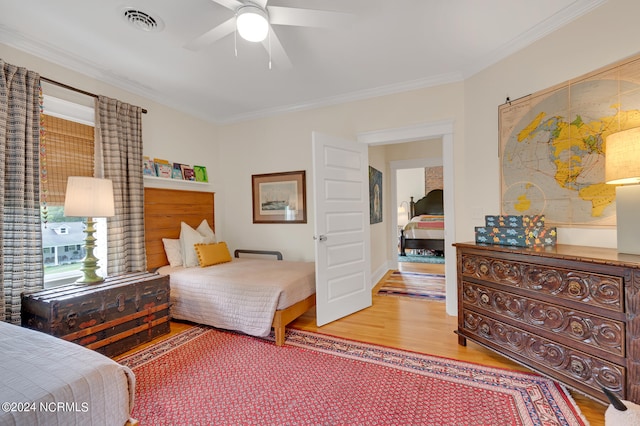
{"x": 208, "y": 376}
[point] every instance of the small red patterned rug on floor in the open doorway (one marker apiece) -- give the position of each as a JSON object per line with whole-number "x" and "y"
{"x": 414, "y": 284}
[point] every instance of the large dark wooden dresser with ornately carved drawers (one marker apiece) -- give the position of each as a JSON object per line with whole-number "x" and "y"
{"x": 568, "y": 312}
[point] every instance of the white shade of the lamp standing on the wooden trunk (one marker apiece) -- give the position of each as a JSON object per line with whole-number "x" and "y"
{"x": 88, "y": 197}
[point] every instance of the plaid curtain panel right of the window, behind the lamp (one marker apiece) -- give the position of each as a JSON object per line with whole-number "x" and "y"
{"x": 119, "y": 139}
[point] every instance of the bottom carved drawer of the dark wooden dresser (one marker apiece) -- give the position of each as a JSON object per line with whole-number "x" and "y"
{"x": 578, "y": 369}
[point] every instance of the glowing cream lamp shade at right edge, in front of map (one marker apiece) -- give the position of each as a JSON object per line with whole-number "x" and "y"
{"x": 622, "y": 160}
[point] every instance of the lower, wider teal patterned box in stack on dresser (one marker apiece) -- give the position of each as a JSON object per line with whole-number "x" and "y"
{"x": 517, "y": 237}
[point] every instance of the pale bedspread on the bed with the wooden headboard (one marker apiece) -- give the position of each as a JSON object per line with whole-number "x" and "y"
{"x": 240, "y": 295}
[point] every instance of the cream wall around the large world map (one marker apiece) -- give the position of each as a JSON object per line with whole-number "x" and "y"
{"x": 604, "y": 36}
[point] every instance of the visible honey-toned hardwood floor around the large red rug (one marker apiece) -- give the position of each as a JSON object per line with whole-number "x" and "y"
{"x": 414, "y": 325}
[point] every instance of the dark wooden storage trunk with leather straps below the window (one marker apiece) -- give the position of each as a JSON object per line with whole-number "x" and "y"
{"x": 112, "y": 317}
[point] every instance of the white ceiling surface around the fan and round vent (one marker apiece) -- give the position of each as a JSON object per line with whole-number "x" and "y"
{"x": 384, "y": 46}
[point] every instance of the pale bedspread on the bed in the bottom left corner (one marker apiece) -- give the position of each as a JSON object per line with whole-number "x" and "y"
{"x": 48, "y": 381}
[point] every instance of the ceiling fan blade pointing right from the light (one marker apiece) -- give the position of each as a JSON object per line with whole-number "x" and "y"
{"x": 279, "y": 15}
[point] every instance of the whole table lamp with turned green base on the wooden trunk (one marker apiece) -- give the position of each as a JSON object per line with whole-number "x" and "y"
{"x": 91, "y": 198}
